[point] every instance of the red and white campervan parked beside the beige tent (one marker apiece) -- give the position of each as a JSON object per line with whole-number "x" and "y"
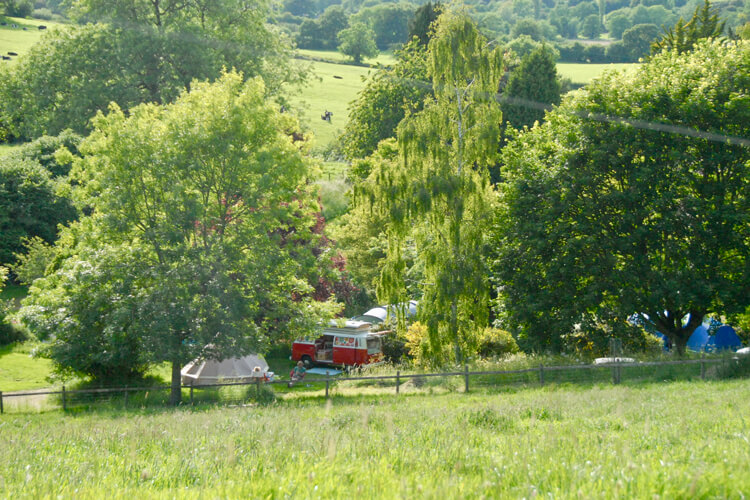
{"x": 352, "y": 344}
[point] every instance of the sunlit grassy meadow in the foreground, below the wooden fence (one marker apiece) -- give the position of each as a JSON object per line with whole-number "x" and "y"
{"x": 678, "y": 440}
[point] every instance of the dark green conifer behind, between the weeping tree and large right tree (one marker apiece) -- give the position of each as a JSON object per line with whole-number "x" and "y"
{"x": 532, "y": 87}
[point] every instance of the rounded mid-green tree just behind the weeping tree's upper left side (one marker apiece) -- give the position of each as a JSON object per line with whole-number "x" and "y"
{"x": 387, "y": 97}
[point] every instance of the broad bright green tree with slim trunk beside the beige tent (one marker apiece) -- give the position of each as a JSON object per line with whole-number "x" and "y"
{"x": 199, "y": 240}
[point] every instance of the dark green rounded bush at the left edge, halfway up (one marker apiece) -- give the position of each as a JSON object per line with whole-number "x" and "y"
{"x": 29, "y": 206}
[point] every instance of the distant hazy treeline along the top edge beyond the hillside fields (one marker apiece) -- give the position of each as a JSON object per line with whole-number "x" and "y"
{"x": 608, "y": 30}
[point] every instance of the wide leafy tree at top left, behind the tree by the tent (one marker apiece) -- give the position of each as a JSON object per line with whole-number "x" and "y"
{"x": 137, "y": 52}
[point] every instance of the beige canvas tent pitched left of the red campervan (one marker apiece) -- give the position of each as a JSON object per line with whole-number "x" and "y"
{"x": 207, "y": 372}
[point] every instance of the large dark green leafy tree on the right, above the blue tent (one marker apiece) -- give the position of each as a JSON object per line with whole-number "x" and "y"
{"x": 632, "y": 198}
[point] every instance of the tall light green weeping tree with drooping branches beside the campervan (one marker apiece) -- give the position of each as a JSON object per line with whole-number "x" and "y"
{"x": 438, "y": 194}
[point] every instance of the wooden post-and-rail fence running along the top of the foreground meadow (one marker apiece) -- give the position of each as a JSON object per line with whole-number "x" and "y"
{"x": 399, "y": 377}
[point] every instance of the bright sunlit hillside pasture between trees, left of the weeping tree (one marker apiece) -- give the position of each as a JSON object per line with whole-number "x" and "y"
{"x": 326, "y": 92}
